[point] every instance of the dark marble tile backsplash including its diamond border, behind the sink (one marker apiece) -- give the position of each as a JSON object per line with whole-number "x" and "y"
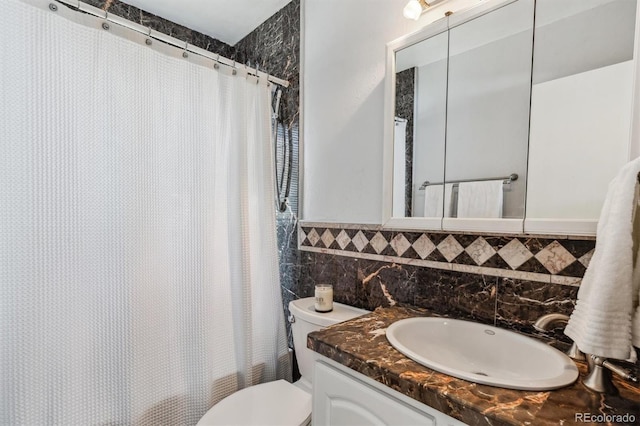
{"x": 508, "y": 281}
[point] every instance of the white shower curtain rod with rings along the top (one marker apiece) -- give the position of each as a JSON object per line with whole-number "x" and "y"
{"x": 183, "y": 45}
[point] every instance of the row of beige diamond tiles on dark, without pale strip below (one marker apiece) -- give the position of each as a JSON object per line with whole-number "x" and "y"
{"x": 568, "y": 258}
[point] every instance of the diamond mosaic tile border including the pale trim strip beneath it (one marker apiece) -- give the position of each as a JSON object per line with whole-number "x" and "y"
{"x": 548, "y": 259}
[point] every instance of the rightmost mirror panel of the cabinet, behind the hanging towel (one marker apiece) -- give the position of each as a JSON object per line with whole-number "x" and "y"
{"x": 580, "y": 110}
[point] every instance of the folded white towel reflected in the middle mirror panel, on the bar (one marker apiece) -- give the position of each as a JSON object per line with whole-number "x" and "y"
{"x": 480, "y": 199}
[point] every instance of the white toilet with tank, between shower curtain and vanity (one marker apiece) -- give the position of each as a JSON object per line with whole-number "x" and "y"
{"x": 280, "y": 403}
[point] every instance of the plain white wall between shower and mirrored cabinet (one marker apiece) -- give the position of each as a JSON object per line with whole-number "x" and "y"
{"x": 343, "y": 103}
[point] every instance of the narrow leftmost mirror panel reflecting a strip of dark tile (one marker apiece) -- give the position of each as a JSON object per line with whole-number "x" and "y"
{"x": 420, "y": 126}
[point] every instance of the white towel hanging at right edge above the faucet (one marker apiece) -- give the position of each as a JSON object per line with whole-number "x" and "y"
{"x": 601, "y": 323}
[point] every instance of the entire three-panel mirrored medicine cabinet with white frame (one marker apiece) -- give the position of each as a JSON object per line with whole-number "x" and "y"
{"x": 511, "y": 116}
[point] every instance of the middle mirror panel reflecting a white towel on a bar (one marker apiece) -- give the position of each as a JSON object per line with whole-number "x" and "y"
{"x": 488, "y": 113}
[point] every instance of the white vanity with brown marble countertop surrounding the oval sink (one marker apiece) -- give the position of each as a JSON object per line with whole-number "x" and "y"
{"x": 361, "y": 378}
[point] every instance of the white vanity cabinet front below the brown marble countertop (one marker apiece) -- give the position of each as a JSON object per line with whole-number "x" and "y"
{"x": 343, "y": 397}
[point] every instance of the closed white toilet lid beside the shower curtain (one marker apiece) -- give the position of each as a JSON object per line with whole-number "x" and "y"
{"x": 276, "y": 403}
